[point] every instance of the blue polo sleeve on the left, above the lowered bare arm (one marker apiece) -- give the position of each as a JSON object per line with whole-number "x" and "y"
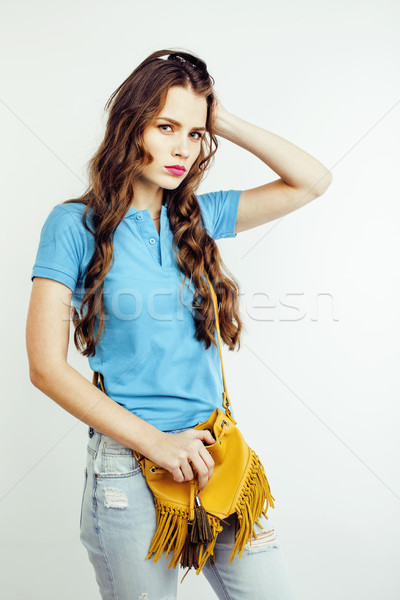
{"x": 60, "y": 250}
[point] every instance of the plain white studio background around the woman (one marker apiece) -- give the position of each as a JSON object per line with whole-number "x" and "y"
{"x": 315, "y": 386}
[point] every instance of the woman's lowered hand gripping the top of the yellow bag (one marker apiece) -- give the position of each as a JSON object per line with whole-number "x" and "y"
{"x": 181, "y": 453}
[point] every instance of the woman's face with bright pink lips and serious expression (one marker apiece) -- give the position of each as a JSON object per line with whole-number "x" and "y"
{"x": 176, "y": 143}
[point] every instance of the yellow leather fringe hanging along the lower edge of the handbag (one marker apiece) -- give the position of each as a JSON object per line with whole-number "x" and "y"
{"x": 172, "y": 532}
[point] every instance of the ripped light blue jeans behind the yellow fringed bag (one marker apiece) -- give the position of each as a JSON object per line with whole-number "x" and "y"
{"x": 117, "y": 524}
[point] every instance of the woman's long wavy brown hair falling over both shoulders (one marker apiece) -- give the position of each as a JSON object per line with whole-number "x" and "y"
{"x": 112, "y": 172}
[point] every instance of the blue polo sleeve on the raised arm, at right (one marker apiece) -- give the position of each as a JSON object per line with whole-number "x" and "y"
{"x": 219, "y": 210}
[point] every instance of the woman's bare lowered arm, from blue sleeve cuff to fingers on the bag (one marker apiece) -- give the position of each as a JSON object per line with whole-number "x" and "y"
{"x": 47, "y": 339}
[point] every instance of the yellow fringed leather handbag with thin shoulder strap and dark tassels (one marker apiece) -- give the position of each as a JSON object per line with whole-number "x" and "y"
{"x": 188, "y": 521}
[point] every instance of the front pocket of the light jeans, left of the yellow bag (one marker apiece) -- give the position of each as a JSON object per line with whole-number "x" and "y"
{"x": 112, "y": 460}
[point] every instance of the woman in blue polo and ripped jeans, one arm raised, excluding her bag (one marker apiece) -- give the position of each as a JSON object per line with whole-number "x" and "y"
{"x": 128, "y": 259}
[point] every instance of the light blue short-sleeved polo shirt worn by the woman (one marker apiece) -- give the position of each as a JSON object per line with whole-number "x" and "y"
{"x": 150, "y": 360}
